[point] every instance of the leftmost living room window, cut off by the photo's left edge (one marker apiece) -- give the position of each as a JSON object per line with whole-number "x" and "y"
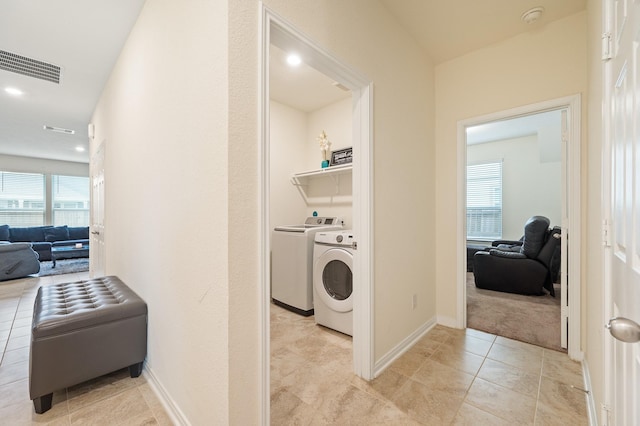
{"x": 22, "y": 199}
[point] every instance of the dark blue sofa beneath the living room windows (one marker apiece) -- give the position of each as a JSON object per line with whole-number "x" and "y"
{"x": 43, "y": 238}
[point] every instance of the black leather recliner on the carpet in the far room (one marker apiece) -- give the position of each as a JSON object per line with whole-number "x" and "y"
{"x": 524, "y": 268}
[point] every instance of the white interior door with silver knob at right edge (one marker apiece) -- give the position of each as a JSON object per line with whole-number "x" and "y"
{"x": 622, "y": 92}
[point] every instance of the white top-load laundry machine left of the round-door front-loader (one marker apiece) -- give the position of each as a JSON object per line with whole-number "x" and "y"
{"x": 292, "y": 262}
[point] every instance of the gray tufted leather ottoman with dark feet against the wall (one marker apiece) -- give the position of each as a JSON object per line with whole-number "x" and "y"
{"x": 82, "y": 330}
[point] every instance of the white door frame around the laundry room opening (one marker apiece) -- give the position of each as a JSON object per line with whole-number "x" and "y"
{"x": 277, "y": 33}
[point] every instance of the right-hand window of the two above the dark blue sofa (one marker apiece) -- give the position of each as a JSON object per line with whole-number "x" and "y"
{"x": 70, "y": 200}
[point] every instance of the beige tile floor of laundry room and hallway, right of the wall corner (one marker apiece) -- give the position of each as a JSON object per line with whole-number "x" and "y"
{"x": 450, "y": 377}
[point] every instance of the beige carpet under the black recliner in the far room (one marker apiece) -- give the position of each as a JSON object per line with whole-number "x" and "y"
{"x": 531, "y": 319}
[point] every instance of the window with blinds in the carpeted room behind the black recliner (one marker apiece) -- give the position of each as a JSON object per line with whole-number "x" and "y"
{"x": 484, "y": 201}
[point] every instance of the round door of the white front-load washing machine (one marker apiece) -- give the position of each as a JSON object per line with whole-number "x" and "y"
{"x": 333, "y": 279}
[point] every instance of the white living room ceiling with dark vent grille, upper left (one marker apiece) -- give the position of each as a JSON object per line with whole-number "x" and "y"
{"x": 84, "y": 38}
